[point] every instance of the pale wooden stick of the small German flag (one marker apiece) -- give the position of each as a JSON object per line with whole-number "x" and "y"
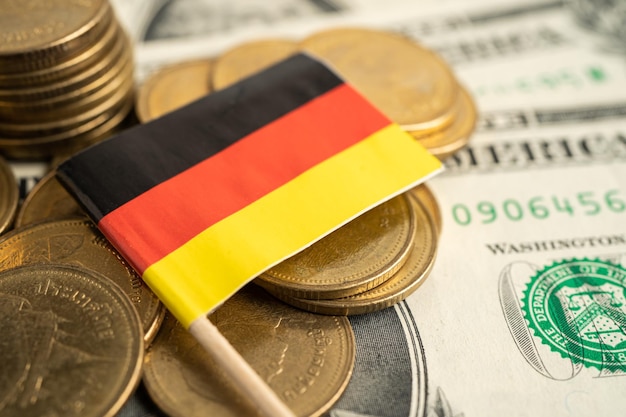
{"x": 248, "y": 381}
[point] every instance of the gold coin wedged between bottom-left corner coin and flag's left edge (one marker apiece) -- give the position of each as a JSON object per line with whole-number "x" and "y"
{"x": 78, "y": 242}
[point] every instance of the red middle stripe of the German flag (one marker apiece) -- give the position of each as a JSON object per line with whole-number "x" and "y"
{"x": 163, "y": 218}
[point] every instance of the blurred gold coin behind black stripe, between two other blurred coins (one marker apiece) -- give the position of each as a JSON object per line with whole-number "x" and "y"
{"x": 249, "y": 58}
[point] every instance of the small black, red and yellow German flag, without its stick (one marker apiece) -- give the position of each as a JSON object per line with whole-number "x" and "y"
{"x": 204, "y": 199}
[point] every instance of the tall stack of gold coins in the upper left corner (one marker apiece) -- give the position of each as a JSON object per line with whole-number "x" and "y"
{"x": 66, "y": 76}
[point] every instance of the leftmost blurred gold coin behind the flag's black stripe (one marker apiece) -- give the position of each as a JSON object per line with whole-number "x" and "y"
{"x": 172, "y": 87}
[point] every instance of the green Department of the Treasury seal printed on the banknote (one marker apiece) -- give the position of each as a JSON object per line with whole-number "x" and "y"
{"x": 578, "y": 308}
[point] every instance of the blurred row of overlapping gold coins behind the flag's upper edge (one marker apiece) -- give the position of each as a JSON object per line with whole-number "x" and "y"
{"x": 409, "y": 83}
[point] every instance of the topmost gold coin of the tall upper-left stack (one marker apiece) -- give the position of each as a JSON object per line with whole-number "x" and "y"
{"x": 41, "y": 33}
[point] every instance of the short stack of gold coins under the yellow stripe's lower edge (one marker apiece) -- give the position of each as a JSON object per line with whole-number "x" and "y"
{"x": 373, "y": 262}
